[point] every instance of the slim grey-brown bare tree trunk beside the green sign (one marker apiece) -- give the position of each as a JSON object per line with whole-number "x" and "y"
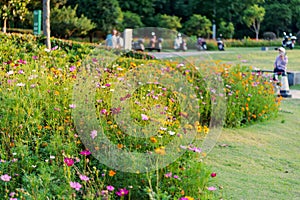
{"x": 46, "y": 22}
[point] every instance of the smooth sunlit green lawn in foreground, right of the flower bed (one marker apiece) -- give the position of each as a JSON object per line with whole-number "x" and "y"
{"x": 261, "y": 161}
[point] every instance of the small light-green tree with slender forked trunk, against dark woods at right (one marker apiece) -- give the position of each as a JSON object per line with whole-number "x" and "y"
{"x": 253, "y": 16}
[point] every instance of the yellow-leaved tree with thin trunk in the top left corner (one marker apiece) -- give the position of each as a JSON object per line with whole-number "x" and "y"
{"x": 10, "y": 9}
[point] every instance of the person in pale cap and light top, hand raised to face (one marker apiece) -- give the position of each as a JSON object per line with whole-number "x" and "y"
{"x": 280, "y": 64}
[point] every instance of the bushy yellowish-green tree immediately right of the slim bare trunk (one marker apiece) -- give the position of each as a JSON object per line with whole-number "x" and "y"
{"x": 66, "y": 23}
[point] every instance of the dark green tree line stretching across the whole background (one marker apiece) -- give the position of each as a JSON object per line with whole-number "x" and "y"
{"x": 101, "y": 16}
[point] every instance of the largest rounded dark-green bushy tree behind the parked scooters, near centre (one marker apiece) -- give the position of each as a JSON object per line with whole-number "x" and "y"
{"x": 198, "y": 25}
